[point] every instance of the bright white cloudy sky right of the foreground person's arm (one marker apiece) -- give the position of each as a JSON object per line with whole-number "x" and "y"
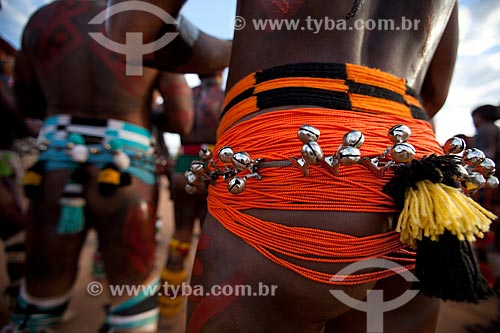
{"x": 476, "y": 79}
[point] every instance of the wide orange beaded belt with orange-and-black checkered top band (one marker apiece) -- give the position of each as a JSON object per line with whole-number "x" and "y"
{"x": 341, "y": 98}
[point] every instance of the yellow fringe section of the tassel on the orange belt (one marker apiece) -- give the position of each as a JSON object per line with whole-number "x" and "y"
{"x": 432, "y": 208}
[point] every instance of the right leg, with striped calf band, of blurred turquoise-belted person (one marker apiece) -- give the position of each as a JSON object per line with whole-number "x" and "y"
{"x": 125, "y": 223}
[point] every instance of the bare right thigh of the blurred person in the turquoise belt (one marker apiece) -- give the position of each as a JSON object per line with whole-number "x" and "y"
{"x": 125, "y": 224}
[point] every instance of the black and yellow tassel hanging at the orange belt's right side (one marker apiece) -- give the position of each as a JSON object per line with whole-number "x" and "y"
{"x": 445, "y": 264}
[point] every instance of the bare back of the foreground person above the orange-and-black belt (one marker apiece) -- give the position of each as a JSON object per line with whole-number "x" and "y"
{"x": 405, "y": 51}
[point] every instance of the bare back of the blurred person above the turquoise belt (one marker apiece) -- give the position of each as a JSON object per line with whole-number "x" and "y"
{"x": 77, "y": 75}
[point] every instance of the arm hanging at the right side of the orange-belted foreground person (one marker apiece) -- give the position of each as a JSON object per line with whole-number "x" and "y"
{"x": 438, "y": 77}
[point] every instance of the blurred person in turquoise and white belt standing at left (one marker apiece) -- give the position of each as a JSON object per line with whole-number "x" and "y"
{"x": 96, "y": 169}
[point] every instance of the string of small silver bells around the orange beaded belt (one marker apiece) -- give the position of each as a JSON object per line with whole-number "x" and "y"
{"x": 475, "y": 169}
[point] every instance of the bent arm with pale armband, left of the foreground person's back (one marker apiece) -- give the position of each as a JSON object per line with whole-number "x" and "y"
{"x": 192, "y": 51}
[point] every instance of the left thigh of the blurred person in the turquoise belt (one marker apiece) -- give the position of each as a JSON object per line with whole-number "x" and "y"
{"x": 52, "y": 259}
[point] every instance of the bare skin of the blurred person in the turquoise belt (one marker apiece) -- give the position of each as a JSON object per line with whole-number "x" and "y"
{"x": 61, "y": 70}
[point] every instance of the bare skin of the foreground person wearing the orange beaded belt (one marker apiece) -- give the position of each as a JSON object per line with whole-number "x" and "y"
{"x": 425, "y": 57}
